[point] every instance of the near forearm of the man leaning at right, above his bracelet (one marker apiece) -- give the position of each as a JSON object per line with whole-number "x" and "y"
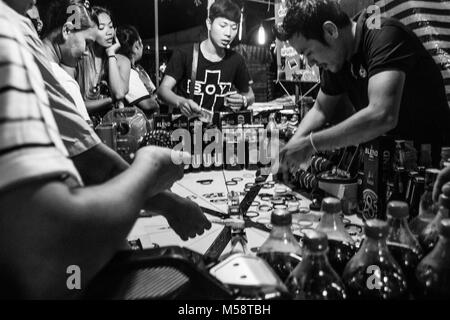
{"x": 361, "y": 127}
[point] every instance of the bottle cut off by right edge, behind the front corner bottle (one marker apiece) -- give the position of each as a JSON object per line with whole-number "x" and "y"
{"x": 430, "y": 234}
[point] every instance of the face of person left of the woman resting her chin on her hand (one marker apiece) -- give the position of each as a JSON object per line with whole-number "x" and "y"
{"x": 76, "y": 45}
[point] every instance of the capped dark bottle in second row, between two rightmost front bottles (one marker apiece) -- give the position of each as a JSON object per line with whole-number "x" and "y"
{"x": 402, "y": 244}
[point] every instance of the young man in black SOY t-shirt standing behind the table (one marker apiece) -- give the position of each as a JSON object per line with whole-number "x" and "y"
{"x": 220, "y": 71}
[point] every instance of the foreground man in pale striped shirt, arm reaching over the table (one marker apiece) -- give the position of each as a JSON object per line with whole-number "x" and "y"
{"x": 48, "y": 220}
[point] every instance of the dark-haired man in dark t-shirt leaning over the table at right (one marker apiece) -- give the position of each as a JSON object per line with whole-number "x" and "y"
{"x": 380, "y": 71}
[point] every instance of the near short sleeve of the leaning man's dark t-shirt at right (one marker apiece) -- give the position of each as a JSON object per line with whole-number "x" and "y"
{"x": 390, "y": 48}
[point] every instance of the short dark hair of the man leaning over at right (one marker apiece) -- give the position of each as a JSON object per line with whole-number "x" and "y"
{"x": 307, "y": 18}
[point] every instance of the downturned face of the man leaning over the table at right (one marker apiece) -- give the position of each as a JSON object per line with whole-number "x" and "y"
{"x": 330, "y": 57}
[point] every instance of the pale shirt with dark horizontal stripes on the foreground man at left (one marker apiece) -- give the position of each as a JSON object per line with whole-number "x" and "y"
{"x": 30, "y": 143}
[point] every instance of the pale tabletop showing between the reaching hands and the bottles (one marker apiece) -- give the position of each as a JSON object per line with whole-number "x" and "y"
{"x": 154, "y": 231}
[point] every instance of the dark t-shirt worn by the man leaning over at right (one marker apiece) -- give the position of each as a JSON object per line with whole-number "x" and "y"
{"x": 424, "y": 112}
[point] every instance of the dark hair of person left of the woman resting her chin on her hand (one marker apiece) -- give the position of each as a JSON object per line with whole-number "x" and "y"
{"x": 58, "y": 14}
